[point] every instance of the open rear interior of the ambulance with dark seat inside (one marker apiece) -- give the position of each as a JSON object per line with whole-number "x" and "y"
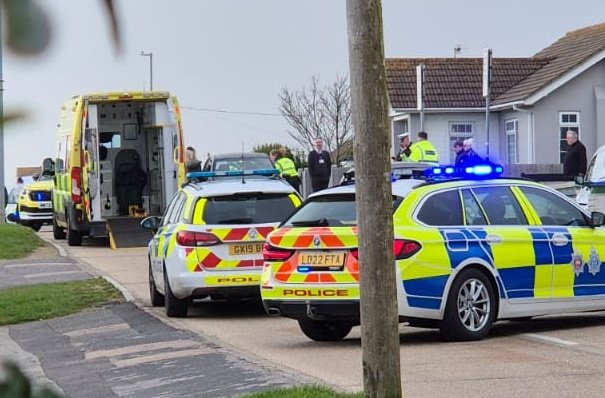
{"x": 132, "y": 146}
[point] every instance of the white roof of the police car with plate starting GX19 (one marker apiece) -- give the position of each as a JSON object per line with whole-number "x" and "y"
{"x": 229, "y": 186}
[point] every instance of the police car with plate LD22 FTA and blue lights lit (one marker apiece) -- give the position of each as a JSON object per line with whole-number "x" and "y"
{"x": 470, "y": 249}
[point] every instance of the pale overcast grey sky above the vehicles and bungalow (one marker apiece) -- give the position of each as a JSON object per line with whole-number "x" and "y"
{"x": 236, "y": 55}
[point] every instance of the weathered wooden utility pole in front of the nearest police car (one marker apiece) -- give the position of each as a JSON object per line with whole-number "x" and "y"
{"x": 379, "y": 319}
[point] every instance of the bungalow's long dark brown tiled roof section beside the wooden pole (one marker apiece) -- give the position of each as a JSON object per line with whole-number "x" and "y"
{"x": 454, "y": 82}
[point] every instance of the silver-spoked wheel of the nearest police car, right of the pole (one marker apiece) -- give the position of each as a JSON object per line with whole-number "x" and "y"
{"x": 470, "y": 309}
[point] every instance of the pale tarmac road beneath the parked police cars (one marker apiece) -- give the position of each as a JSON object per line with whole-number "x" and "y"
{"x": 549, "y": 356}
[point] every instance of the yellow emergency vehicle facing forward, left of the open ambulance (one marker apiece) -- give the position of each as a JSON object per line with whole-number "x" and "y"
{"x": 34, "y": 203}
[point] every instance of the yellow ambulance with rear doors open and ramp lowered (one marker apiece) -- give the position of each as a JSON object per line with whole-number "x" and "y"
{"x": 119, "y": 156}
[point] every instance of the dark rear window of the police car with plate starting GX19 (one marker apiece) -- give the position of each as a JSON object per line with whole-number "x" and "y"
{"x": 253, "y": 208}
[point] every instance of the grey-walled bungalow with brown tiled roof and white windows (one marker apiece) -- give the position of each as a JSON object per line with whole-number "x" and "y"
{"x": 534, "y": 101}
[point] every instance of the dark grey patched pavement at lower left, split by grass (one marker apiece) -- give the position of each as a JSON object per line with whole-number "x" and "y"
{"x": 121, "y": 350}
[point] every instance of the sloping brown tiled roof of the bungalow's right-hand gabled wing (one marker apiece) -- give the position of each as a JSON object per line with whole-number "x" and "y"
{"x": 567, "y": 53}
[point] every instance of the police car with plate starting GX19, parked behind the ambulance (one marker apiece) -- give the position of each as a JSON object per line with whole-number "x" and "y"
{"x": 209, "y": 241}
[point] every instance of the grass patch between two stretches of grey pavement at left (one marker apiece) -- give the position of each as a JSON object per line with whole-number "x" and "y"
{"x": 49, "y": 300}
